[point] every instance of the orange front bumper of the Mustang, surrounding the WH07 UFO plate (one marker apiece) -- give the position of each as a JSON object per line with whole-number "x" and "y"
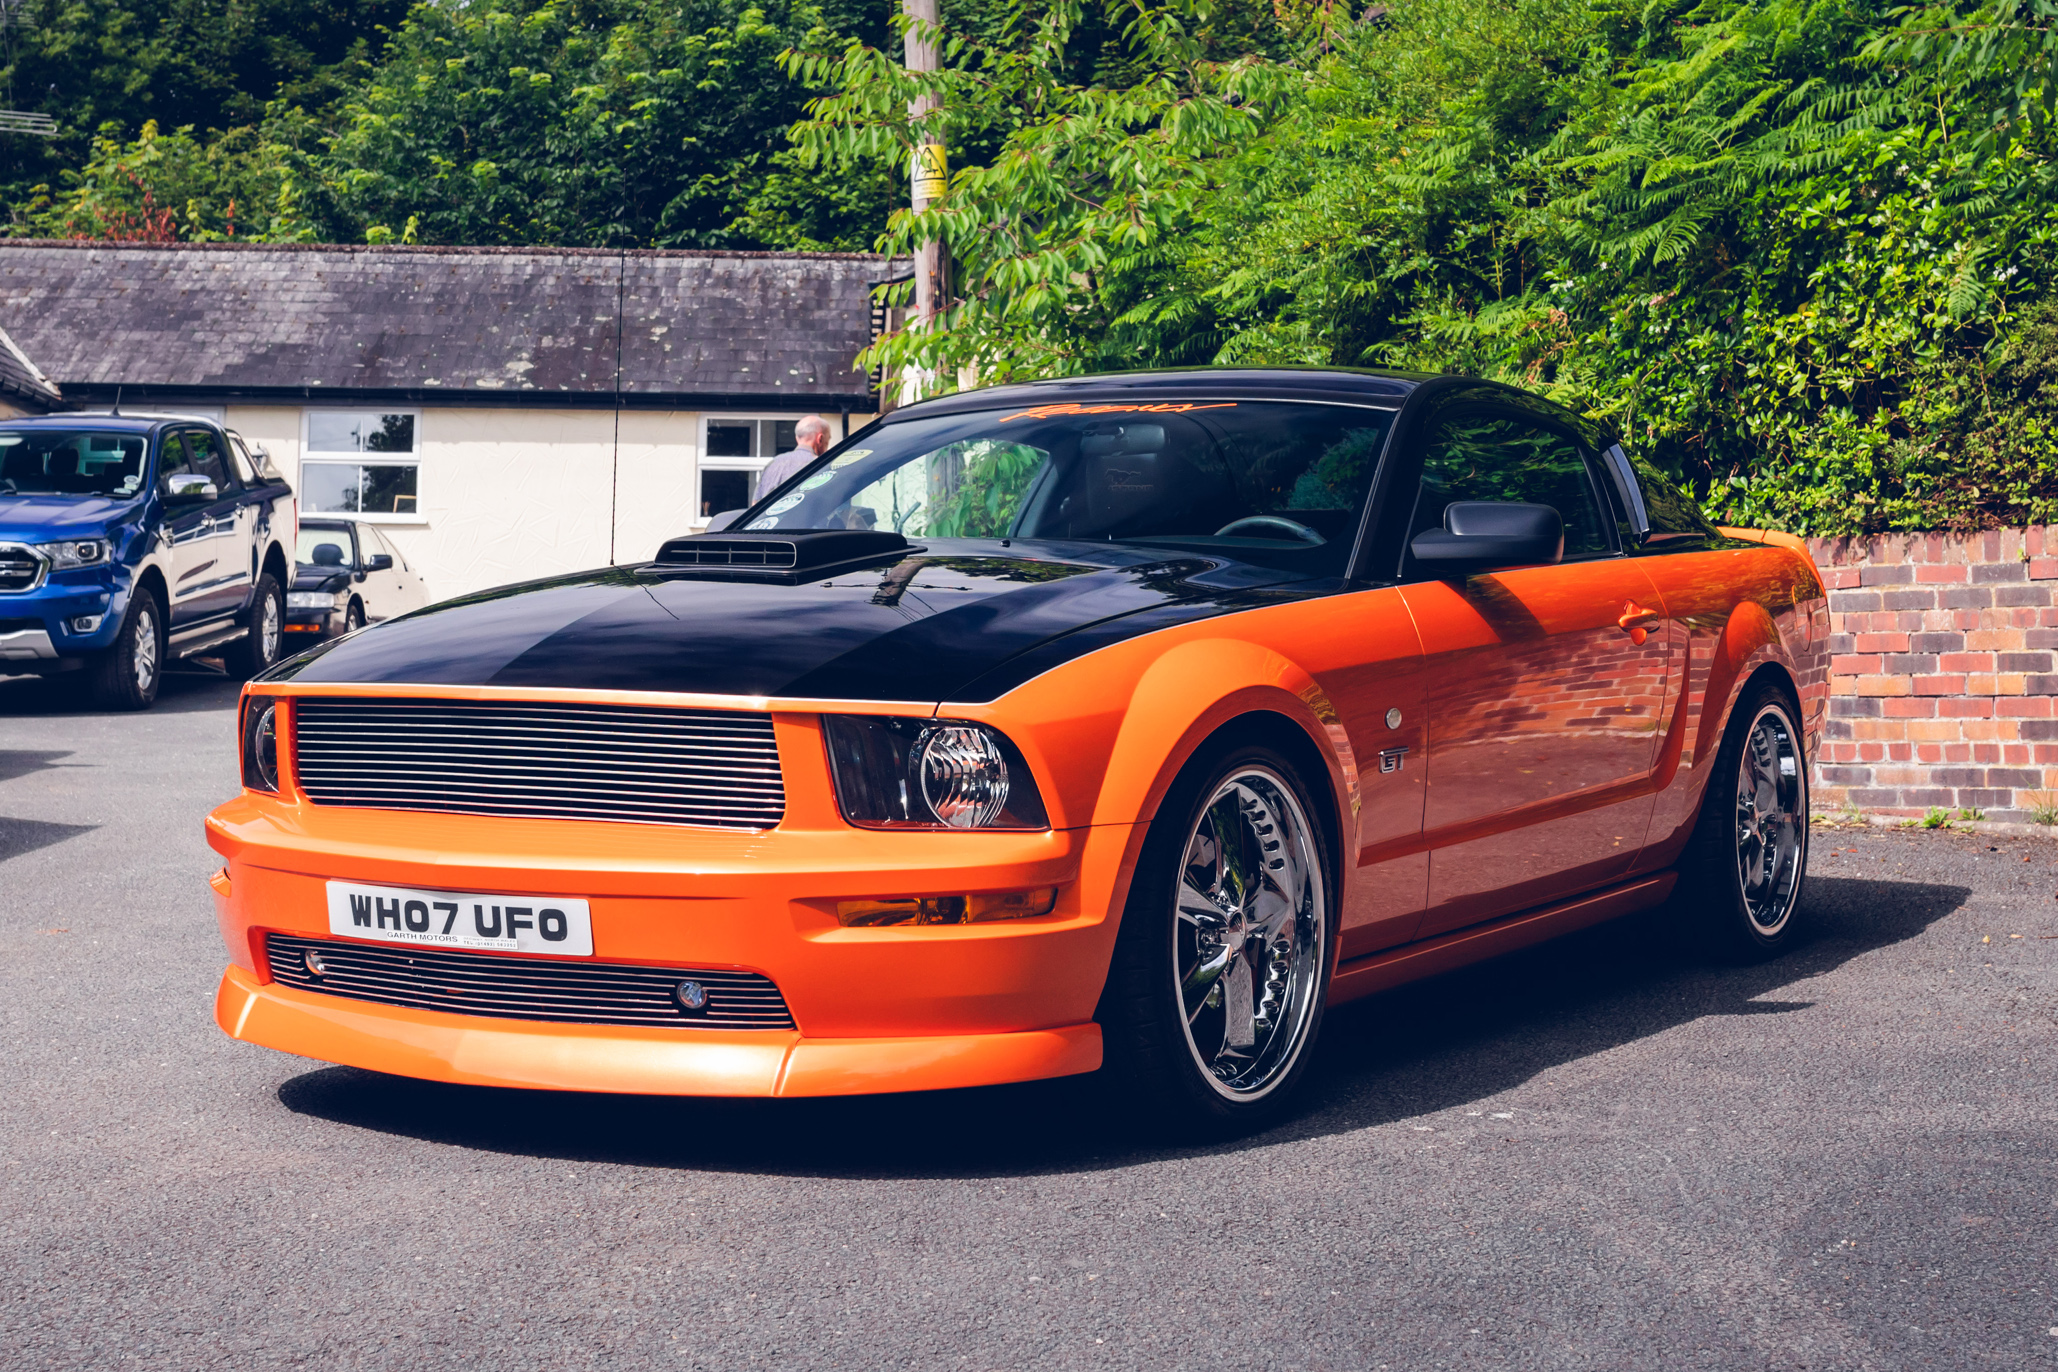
{"x": 876, "y": 1009}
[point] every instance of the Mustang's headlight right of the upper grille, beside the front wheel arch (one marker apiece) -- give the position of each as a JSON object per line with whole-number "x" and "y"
{"x": 929, "y": 774}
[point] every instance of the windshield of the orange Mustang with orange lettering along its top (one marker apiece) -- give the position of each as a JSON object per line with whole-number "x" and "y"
{"x": 1265, "y": 482}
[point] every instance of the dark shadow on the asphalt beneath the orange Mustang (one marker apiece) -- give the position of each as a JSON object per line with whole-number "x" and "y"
{"x": 1400, "y": 1056}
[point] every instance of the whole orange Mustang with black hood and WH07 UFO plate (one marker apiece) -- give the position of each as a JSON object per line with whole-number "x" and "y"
{"x": 1096, "y": 725}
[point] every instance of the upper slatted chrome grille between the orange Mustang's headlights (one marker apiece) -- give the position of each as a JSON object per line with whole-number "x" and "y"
{"x": 625, "y": 764}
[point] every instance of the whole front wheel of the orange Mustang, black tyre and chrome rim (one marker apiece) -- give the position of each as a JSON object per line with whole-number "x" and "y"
{"x": 1223, "y": 960}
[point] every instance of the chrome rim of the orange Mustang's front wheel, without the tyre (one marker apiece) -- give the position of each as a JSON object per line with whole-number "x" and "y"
{"x": 1252, "y": 935}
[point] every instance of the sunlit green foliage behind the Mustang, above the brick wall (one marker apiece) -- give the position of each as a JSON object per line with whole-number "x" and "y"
{"x": 1779, "y": 244}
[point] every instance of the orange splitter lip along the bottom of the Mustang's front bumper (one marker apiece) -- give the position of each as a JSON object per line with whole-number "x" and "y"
{"x": 660, "y": 1062}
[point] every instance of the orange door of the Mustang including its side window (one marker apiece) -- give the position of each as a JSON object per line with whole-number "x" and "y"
{"x": 1545, "y": 684}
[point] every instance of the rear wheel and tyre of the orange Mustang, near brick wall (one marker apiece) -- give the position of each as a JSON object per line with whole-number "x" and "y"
{"x": 1740, "y": 877}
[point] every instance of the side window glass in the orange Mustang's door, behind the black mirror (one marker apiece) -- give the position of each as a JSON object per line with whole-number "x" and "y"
{"x": 1483, "y": 458}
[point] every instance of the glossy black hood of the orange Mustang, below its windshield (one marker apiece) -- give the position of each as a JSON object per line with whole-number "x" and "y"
{"x": 954, "y": 620}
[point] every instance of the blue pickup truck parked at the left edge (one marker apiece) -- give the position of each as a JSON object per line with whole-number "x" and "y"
{"x": 135, "y": 540}
